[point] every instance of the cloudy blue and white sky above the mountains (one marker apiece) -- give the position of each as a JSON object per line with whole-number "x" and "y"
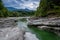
{"x": 22, "y": 4}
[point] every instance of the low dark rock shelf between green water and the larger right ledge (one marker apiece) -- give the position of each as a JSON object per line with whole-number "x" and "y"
{"x": 56, "y": 30}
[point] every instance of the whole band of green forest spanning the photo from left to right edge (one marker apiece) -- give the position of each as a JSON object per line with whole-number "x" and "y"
{"x": 46, "y": 7}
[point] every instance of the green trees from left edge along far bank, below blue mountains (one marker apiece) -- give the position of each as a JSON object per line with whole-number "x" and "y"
{"x": 6, "y": 13}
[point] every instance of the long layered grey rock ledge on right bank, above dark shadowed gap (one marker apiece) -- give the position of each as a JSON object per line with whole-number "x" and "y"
{"x": 45, "y": 22}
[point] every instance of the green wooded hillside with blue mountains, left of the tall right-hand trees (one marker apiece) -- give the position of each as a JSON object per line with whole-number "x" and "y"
{"x": 12, "y": 12}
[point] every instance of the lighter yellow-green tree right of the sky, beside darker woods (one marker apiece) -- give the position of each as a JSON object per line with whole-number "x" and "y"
{"x": 41, "y": 10}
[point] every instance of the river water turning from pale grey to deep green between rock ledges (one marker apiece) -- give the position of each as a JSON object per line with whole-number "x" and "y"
{"x": 40, "y": 34}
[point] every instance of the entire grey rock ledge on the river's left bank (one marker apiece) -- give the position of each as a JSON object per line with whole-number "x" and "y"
{"x": 9, "y": 30}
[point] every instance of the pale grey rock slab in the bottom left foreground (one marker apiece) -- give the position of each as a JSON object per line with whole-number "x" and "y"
{"x": 11, "y": 34}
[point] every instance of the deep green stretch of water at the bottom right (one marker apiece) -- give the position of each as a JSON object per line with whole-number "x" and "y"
{"x": 44, "y": 35}
